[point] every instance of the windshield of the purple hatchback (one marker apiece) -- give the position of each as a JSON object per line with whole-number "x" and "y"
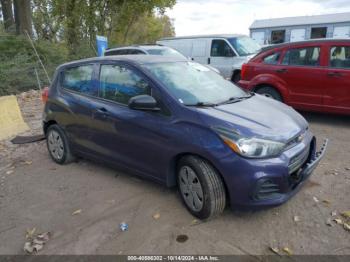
{"x": 194, "y": 84}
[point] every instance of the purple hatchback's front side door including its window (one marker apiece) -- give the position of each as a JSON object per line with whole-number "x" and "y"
{"x": 130, "y": 138}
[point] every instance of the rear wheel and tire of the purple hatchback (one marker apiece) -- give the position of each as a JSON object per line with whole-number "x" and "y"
{"x": 58, "y": 145}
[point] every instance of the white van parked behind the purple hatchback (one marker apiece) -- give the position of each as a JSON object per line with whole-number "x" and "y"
{"x": 227, "y": 53}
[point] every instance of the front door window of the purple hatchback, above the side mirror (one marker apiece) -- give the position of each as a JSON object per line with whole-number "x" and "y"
{"x": 118, "y": 83}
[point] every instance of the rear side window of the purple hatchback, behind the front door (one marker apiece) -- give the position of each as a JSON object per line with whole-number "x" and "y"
{"x": 79, "y": 79}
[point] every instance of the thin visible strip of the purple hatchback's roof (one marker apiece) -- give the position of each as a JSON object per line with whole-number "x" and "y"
{"x": 137, "y": 59}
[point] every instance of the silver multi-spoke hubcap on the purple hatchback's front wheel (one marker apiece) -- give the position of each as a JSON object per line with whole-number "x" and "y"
{"x": 190, "y": 188}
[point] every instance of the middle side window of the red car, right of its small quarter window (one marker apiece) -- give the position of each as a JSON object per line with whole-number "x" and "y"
{"x": 309, "y": 56}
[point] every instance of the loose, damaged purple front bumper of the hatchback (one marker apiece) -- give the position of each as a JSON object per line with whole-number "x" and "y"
{"x": 271, "y": 182}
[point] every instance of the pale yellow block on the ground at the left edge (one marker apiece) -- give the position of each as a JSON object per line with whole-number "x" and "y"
{"x": 11, "y": 121}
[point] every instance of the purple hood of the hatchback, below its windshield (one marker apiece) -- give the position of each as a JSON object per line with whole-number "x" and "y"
{"x": 257, "y": 116}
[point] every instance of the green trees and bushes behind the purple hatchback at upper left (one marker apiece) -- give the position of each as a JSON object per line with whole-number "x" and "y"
{"x": 66, "y": 30}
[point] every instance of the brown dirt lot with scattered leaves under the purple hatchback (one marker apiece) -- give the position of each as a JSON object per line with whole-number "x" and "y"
{"x": 36, "y": 192}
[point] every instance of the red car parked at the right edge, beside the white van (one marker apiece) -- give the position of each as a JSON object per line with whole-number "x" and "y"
{"x": 309, "y": 75}
